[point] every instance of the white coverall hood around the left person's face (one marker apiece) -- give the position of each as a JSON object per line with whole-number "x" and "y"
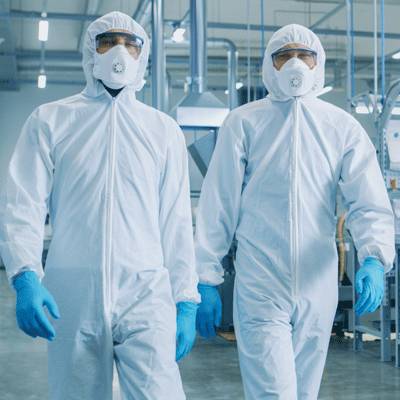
{"x": 112, "y": 20}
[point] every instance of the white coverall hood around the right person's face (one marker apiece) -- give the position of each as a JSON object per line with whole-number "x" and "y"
{"x": 292, "y": 33}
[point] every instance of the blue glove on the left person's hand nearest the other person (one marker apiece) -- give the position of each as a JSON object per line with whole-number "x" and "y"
{"x": 185, "y": 328}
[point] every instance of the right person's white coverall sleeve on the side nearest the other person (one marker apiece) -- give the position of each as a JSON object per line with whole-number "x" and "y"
{"x": 219, "y": 206}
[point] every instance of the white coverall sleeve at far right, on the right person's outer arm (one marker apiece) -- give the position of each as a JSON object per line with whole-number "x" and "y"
{"x": 370, "y": 217}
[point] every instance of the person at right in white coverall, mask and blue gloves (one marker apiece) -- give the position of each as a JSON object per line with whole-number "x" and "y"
{"x": 272, "y": 183}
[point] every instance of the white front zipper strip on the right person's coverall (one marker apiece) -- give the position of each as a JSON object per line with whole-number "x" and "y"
{"x": 294, "y": 201}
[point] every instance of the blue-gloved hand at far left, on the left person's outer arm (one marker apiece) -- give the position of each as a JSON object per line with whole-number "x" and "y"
{"x": 31, "y": 297}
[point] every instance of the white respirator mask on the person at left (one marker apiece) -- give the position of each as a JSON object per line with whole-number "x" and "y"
{"x": 116, "y": 68}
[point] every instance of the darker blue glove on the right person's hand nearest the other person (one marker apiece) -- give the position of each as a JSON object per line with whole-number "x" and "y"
{"x": 210, "y": 310}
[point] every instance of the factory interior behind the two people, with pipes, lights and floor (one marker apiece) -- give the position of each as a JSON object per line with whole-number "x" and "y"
{"x": 362, "y": 43}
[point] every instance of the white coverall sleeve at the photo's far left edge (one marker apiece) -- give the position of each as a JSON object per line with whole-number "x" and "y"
{"x": 24, "y": 200}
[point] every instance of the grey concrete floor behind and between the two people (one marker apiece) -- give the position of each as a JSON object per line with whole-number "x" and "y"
{"x": 211, "y": 372}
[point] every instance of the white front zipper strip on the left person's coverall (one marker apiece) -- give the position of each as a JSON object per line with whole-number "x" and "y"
{"x": 109, "y": 205}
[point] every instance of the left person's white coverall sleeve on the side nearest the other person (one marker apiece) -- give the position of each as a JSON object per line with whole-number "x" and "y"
{"x": 176, "y": 221}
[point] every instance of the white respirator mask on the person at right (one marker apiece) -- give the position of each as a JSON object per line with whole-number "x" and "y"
{"x": 295, "y": 78}
